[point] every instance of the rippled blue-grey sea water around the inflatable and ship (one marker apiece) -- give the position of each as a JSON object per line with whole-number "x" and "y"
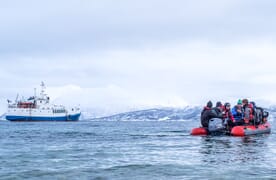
{"x": 130, "y": 150}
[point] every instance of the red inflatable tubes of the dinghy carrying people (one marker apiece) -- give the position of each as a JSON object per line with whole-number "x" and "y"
{"x": 243, "y": 130}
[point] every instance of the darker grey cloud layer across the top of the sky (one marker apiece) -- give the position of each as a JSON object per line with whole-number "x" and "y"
{"x": 51, "y": 27}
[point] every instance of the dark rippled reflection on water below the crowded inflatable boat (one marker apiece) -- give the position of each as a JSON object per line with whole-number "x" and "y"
{"x": 227, "y": 149}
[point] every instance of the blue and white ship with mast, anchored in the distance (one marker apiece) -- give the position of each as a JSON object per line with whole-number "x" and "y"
{"x": 38, "y": 108}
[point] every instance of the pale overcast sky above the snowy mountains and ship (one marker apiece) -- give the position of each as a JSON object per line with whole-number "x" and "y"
{"x": 120, "y": 55}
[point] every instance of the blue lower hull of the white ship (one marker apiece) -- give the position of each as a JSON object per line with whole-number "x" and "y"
{"x": 74, "y": 117}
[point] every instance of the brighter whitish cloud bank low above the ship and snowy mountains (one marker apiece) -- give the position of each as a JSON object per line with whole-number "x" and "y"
{"x": 170, "y": 75}
